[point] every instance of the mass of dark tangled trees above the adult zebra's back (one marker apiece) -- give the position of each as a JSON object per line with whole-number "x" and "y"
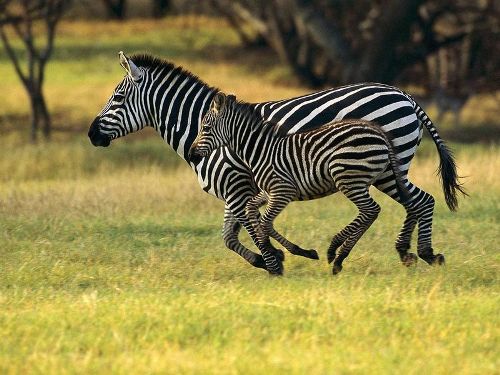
{"x": 447, "y": 46}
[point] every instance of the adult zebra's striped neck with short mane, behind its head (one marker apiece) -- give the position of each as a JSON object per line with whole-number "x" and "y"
{"x": 179, "y": 100}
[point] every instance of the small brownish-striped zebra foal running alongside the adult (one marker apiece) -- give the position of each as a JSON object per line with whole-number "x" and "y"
{"x": 346, "y": 156}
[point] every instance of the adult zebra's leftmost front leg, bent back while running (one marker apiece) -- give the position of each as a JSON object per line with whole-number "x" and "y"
{"x": 230, "y": 231}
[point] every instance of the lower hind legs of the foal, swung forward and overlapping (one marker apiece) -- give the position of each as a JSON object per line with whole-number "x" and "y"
{"x": 347, "y": 237}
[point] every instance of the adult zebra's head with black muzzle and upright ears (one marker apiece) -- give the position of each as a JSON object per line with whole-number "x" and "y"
{"x": 125, "y": 112}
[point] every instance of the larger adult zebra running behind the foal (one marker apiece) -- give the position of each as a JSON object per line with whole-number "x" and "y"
{"x": 156, "y": 93}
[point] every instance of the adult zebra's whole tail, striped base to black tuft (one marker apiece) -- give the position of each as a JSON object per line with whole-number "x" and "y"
{"x": 447, "y": 169}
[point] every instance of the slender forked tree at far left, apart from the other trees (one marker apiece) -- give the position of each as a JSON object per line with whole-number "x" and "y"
{"x": 33, "y": 22}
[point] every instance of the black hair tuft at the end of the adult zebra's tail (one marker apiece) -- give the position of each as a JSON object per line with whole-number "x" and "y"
{"x": 448, "y": 174}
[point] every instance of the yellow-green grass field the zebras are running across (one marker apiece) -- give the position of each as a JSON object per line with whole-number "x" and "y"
{"x": 111, "y": 260}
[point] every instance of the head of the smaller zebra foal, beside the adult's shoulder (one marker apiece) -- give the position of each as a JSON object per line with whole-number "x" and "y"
{"x": 213, "y": 130}
